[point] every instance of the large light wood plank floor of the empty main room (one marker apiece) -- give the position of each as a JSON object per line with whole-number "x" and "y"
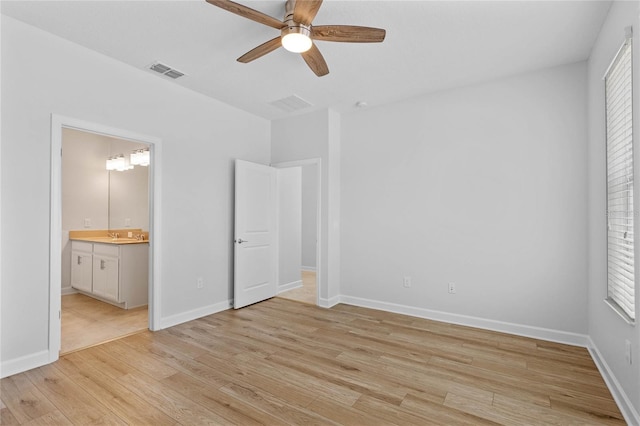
{"x": 284, "y": 362}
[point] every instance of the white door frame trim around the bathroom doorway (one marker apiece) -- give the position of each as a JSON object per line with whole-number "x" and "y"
{"x": 58, "y": 122}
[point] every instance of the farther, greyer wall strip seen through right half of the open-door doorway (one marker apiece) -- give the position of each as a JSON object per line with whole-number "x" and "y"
{"x": 309, "y": 216}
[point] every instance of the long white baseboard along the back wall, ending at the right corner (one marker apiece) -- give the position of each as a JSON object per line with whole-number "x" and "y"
{"x": 574, "y": 339}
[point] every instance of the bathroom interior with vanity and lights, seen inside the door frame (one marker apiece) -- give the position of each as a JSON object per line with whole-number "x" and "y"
{"x": 95, "y": 201}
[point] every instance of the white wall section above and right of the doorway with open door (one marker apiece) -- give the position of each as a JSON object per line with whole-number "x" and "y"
{"x": 321, "y": 139}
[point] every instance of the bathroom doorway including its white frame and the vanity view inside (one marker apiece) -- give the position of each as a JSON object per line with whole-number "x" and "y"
{"x": 106, "y": 201}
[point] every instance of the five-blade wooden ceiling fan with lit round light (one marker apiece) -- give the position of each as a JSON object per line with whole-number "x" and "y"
{"x": 297, "y": 33}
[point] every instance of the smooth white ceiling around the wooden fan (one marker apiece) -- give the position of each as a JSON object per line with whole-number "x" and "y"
{"x": 430, "y": 45}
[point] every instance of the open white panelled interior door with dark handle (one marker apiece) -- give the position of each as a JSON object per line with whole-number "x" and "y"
{"x": 255, "y": 248}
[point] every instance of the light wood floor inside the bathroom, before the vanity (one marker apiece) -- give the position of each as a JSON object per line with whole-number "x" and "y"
{"x": 87, "y": 322}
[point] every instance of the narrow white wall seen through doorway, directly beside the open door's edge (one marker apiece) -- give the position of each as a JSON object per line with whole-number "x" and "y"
{"x": 289, "y": 228}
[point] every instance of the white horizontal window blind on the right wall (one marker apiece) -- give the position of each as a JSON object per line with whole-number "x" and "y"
{"x": 620, "y": 215}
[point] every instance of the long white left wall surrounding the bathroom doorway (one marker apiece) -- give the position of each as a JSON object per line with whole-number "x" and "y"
{"x": 200, "y": 138}
